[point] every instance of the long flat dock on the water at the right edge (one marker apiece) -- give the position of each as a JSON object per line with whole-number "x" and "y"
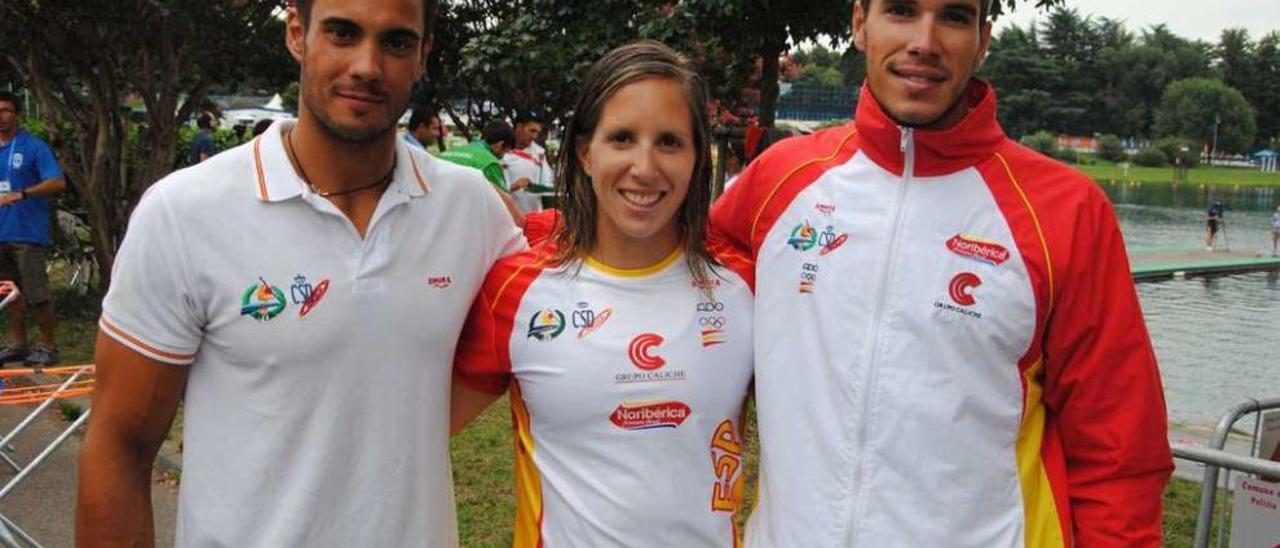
{"x": 1149, "y": 266}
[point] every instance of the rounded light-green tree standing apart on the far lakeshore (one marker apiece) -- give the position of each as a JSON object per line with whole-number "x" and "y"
{"x": 1194, "y": 108}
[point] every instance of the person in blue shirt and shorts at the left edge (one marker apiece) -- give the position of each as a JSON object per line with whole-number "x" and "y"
{"x": 29, "y": 180}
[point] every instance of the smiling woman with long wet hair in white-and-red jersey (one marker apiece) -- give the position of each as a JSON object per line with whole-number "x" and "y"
{"x": 625, "y": 345}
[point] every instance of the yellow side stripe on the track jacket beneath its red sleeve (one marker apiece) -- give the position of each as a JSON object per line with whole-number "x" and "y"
{"x": 1044, "y": 528}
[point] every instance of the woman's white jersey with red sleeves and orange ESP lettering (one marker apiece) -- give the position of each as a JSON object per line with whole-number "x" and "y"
{"x": 628, "y": 394}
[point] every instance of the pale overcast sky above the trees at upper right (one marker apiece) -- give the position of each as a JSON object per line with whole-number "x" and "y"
{"x": 1201, "y": 20}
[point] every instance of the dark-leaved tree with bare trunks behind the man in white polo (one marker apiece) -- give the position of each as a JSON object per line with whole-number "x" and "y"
{"x": 83, "y": 61}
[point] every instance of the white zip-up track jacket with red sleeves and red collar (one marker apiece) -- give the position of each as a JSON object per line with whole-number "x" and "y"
{"x": 949, "y": 345}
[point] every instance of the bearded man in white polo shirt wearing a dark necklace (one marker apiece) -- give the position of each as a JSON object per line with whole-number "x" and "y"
{"x": 303, "y": 295}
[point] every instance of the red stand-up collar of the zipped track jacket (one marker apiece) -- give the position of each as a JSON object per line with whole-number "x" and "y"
{"x": 938, "y": 153}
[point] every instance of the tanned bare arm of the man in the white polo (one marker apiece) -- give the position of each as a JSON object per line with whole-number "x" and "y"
{"x": 134, "y": 407}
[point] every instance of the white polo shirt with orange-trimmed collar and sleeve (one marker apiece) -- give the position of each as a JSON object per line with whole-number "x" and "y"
{"x": 317, "y": 410}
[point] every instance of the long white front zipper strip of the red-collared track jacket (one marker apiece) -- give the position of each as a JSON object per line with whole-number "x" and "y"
{"x": 908, "y": 149}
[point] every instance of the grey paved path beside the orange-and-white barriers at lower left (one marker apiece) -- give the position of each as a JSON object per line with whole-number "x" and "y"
{"x": 44, "y": 505}
